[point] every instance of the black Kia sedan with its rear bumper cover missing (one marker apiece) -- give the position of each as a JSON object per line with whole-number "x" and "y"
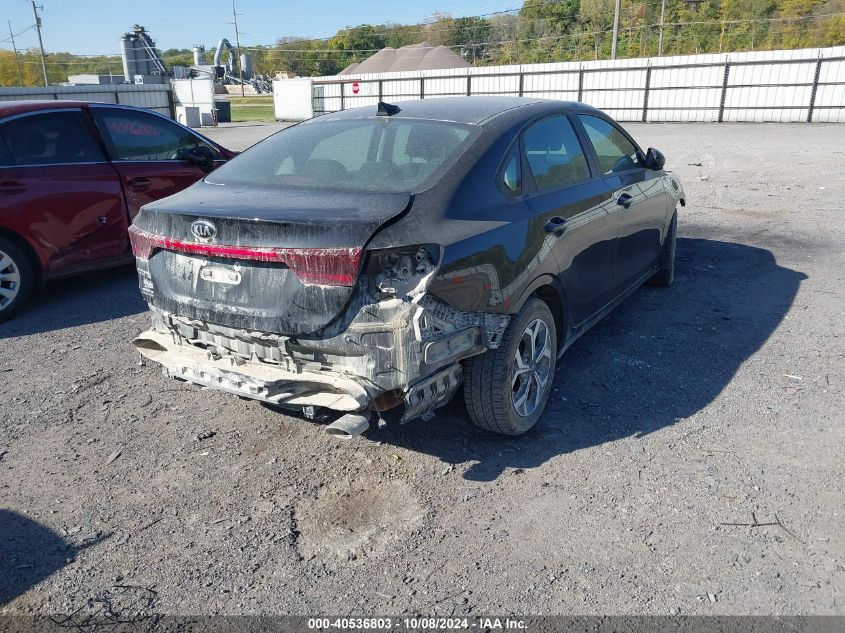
{"x": 374, "y": 260}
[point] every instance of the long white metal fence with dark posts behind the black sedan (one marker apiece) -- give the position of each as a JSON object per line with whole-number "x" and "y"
{"x": 795, "y": 85}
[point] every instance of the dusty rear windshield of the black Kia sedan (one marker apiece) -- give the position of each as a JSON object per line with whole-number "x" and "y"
{"x": 392, "y": 155}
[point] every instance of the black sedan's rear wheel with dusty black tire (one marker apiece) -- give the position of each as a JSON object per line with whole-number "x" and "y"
{"x": 489, "y": 379}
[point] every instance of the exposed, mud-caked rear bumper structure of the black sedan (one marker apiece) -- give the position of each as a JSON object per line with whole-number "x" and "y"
{"x": 394, "y": 353}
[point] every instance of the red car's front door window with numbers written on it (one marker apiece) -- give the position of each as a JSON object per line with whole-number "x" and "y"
{"x": 141, "y": 136}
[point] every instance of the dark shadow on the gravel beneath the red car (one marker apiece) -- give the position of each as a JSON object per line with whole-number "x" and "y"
{"x": 91, "y": 298}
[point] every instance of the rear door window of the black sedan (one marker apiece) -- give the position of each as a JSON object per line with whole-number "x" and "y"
{"x": 554, "y": 154}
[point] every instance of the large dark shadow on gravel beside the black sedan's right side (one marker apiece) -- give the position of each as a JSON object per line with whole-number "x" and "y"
{"x": 661, "y": 356}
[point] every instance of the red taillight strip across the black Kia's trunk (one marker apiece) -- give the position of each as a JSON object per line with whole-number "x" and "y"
{"x": 322, "y": 266}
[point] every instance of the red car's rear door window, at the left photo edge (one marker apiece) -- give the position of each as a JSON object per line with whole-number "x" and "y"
{"x": 51, "y": 138}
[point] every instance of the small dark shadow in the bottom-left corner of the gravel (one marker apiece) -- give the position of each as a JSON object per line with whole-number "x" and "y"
{"x": 29, "y": 553}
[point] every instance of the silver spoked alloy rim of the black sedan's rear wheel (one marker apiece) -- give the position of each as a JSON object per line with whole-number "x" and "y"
{"x": 532, "y": 367}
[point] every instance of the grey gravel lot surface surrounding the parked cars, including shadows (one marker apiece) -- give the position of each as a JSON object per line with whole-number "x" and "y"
{"x": 690, "y": 460}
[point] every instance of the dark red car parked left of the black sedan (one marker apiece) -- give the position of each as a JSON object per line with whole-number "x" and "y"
{"x": 73, "y": 175}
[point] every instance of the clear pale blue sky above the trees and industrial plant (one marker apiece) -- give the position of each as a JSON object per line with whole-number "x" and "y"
{"x": 93, "y": 27}
